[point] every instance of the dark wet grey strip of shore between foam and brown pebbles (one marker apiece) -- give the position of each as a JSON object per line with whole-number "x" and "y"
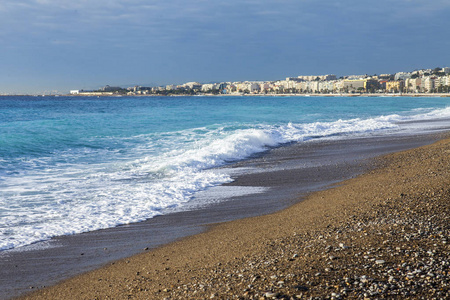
{"x": 263, "y": 184}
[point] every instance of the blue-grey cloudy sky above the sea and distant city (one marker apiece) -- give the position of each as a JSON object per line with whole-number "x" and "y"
{"x": 59, "y": 45}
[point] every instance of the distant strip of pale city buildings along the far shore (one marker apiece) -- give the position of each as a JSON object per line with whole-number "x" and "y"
{"x": 426, "y": 81}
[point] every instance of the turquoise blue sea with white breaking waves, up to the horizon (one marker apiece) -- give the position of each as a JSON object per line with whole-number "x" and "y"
{"x": 70, "y": 165}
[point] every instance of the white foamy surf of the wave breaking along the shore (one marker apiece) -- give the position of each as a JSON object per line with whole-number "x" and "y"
{"x": 68, "y": 193}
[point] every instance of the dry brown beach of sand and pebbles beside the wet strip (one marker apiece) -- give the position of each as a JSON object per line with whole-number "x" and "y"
{"x": 381, "y": 235}
